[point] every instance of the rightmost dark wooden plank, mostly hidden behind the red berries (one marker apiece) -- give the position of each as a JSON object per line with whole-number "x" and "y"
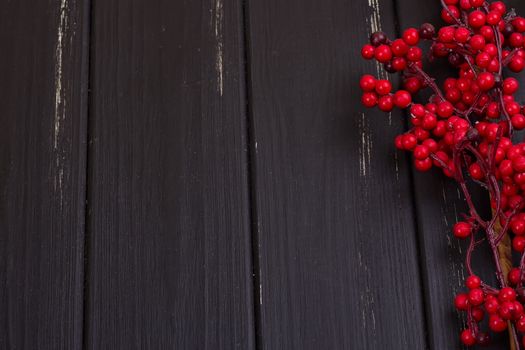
{"x": 439, "y": 205}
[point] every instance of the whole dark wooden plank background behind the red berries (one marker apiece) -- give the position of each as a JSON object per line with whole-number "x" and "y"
{"x": 200, "y": 175}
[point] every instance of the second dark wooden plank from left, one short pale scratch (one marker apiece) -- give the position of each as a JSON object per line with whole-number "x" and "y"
{"x": 169, "y": 224}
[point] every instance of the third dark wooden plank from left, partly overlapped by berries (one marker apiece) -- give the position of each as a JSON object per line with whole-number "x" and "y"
{"x": 337, "y": 241}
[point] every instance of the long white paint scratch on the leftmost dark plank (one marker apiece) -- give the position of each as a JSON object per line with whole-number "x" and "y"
{"x": 60, "y": 101}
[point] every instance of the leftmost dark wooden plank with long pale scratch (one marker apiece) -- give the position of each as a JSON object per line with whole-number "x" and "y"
{"x": 43, "y": 112}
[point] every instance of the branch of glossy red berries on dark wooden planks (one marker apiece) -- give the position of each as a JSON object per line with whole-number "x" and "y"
{"x": 465, "y": 130}
